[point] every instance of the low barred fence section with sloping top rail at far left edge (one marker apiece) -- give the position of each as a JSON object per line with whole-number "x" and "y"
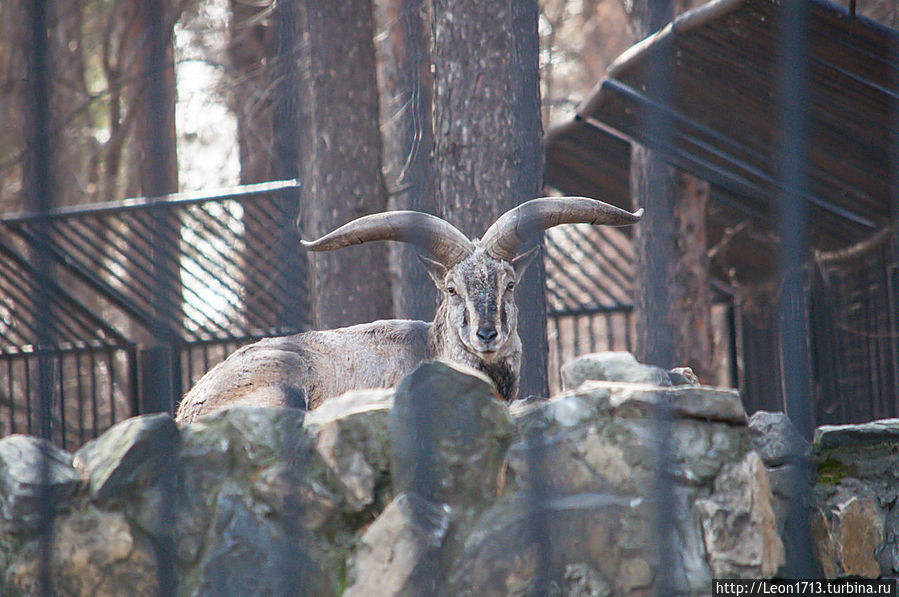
{"x": 92, "y": 366}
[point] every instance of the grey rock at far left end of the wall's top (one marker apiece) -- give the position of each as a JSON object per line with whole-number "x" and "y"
{"x": 36, "y": 479}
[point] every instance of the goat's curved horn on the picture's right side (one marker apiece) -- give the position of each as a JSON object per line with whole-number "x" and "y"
{"x": 520, "y": 225}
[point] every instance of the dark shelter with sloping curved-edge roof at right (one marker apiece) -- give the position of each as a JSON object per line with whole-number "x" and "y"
{"x": 724, "y": 126}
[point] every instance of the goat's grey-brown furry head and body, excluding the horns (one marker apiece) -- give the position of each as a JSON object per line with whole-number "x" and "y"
{"x": 306, "y": 369}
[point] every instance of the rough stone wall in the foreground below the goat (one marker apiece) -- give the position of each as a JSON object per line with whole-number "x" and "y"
{"x": 438, "y": 488}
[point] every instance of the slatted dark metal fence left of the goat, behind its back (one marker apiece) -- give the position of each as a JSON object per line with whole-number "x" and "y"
{"x": 228, "y": 280}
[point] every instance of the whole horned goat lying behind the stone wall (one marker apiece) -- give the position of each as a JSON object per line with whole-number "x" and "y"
{"x": 476, "y": 322}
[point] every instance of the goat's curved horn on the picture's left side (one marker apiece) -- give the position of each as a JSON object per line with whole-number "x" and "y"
{"x": 430, "y": 233}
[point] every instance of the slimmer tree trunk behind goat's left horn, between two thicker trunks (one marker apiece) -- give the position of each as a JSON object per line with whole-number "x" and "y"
{"x": 407, "y": 89}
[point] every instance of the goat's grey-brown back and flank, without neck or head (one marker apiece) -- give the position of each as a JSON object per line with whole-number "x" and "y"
{"x": 303, "y": 370}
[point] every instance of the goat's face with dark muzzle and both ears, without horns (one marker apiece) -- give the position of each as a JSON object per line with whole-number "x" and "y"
{"x": 479, "y": 302}
